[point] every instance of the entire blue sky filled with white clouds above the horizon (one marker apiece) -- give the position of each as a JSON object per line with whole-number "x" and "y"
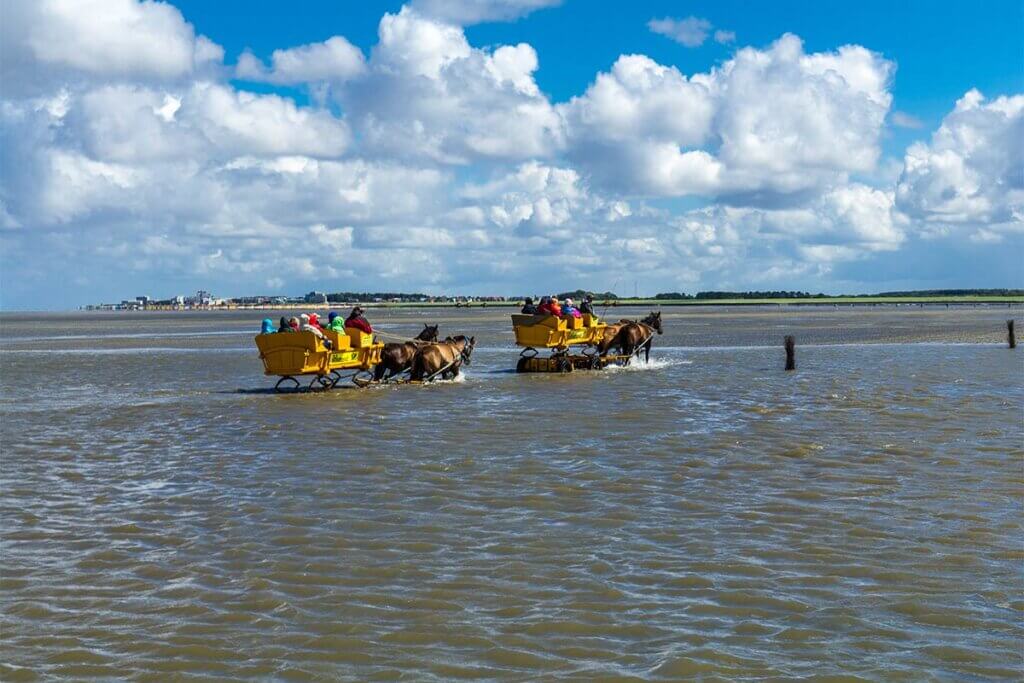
{"x": 507, "y": 147}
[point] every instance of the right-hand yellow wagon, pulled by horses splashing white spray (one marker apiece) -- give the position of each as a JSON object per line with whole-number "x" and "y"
{"x": 561, "y": 335}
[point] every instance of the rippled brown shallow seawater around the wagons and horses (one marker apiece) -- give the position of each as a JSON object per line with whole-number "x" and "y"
{"x": 706, "y": 517}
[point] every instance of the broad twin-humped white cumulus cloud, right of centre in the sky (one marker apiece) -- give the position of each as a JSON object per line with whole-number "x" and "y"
{"x": 766, "y": 125}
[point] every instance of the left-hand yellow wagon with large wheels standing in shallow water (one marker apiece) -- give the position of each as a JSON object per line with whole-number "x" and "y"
{"x": 294, "y": 355}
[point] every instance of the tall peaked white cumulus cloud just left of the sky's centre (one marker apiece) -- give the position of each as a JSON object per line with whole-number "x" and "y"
{"x": 429, "y": 95}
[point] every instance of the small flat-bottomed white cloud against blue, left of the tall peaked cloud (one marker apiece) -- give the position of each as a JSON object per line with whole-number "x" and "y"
{"x": 334, "y": 60}
